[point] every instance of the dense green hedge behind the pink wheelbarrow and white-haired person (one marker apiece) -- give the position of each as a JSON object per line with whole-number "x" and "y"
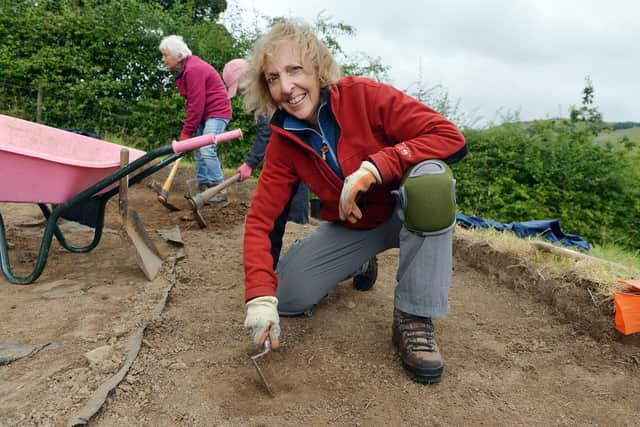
{"x": 97, "y": 65}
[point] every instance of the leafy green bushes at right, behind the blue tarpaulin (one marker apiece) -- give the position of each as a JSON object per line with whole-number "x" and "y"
{"x": 552, "y": 170}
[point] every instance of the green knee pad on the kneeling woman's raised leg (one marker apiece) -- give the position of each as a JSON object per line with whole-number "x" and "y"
{"x": 428, "y": 197}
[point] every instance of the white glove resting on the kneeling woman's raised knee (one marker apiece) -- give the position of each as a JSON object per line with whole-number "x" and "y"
{"x": 358, "y": 182}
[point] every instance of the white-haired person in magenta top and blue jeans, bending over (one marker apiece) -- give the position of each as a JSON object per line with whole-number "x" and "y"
{"x": 207, "y": 104}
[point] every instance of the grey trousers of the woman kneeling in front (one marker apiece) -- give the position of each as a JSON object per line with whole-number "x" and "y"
{"x": 313, "y": 266}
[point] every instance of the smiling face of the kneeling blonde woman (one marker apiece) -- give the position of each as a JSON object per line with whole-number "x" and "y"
{"x": 294, "y": 86}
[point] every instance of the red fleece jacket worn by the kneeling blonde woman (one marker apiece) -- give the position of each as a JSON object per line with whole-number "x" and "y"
{"x": 377, "y": 123}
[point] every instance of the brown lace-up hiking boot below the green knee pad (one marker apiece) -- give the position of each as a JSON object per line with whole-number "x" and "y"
{"x": 414, "y": 338}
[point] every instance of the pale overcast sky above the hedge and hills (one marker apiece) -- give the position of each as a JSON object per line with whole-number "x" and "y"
{"x": 495, "y": 56}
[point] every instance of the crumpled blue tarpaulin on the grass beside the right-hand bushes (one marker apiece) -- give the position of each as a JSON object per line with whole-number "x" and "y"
{"x": 547, "y": 229}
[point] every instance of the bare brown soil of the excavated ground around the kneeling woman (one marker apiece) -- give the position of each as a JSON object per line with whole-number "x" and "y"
{"x": 520, "y": 347}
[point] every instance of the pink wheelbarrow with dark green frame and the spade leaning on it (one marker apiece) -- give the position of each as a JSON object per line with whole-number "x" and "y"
{"x": 72, "y": 176}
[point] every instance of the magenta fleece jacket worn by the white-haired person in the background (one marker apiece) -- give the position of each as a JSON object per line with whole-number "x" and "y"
{"x": 204, "y": 91}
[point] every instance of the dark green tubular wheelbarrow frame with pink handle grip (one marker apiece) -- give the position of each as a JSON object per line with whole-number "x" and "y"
{"x": 91, "y": 203}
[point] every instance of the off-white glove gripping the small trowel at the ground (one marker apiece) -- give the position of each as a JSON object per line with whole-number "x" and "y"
{"x": 263, "y": 320}
